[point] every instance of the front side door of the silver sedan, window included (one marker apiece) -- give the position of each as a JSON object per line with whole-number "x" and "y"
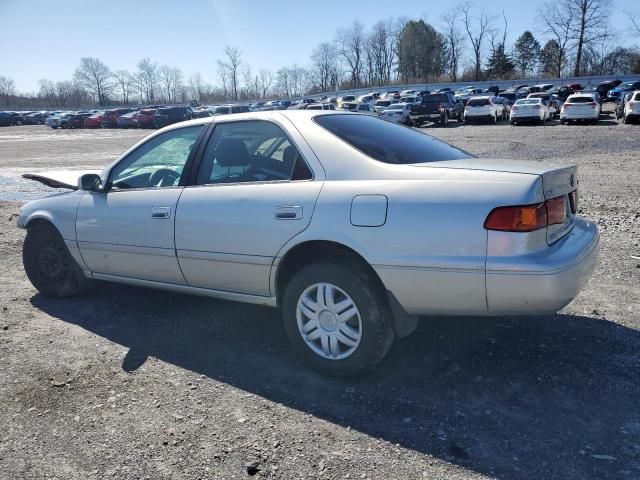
{"x": 128, "y": 230}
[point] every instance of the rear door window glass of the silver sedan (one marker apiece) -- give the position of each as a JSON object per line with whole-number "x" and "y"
{"x": 250, "y": 151}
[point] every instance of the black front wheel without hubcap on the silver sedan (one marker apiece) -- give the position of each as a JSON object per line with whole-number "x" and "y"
{"x": 49, "y": 265}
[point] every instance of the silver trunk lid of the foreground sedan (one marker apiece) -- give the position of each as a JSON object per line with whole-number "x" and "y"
{"x": 557, "y": 181}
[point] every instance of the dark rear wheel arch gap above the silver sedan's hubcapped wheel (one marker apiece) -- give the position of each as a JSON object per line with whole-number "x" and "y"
{"x": 309, "y": 251}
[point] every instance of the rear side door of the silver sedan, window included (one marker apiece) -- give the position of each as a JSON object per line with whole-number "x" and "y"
{"x": 253, "y": 192}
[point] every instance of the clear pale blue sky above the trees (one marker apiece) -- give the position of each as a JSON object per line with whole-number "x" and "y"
{"x": 45, "y": 38}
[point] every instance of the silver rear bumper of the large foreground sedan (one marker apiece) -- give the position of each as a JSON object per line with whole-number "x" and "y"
{"x": 546, "y": 281}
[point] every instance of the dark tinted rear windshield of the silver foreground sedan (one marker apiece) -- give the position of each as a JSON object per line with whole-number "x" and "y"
{"x": 388, "y": 142}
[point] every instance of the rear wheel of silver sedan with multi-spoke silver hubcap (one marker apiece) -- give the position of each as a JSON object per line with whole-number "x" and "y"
{"x": 371, "y": 324}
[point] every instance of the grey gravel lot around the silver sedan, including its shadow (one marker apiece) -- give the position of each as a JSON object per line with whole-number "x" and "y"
{"x": 130, "y": 383}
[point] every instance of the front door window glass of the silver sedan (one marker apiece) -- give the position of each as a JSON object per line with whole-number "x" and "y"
{"x": 157, "y": 163}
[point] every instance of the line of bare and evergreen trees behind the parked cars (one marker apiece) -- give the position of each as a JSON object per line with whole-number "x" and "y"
{"x": 467, "y": 43}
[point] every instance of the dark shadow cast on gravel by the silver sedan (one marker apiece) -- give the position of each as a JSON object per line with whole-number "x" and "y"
{"x": 536, "y": 397}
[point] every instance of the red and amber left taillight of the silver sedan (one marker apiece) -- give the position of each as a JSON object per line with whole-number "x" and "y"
{"x": 527, "y": 218}
